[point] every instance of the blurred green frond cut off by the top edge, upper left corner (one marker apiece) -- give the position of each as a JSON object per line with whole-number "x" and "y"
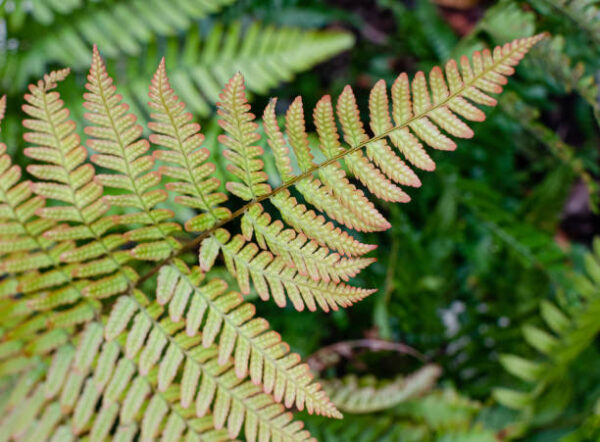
{"x": 121, "y": 29}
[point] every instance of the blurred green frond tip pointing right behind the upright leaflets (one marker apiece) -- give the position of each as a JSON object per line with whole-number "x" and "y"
{"x": 267, "y": 56}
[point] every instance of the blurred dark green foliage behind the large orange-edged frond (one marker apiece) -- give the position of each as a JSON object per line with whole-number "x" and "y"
{"x": 488, "y": 273}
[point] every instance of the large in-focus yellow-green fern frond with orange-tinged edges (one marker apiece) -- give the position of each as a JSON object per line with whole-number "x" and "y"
{"x": 88, "y": 350}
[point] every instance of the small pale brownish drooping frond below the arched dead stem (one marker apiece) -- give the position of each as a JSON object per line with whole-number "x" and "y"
{"x": 366, "y": 395}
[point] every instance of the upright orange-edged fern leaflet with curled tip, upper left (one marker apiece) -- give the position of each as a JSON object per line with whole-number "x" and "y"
{"x": 58, "y": 144}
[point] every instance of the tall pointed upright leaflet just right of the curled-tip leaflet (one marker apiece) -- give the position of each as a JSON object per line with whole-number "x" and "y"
{"x": 116, "y": 138}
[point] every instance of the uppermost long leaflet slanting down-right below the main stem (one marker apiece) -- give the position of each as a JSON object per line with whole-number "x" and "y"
{"x": 258, "y": 351}
